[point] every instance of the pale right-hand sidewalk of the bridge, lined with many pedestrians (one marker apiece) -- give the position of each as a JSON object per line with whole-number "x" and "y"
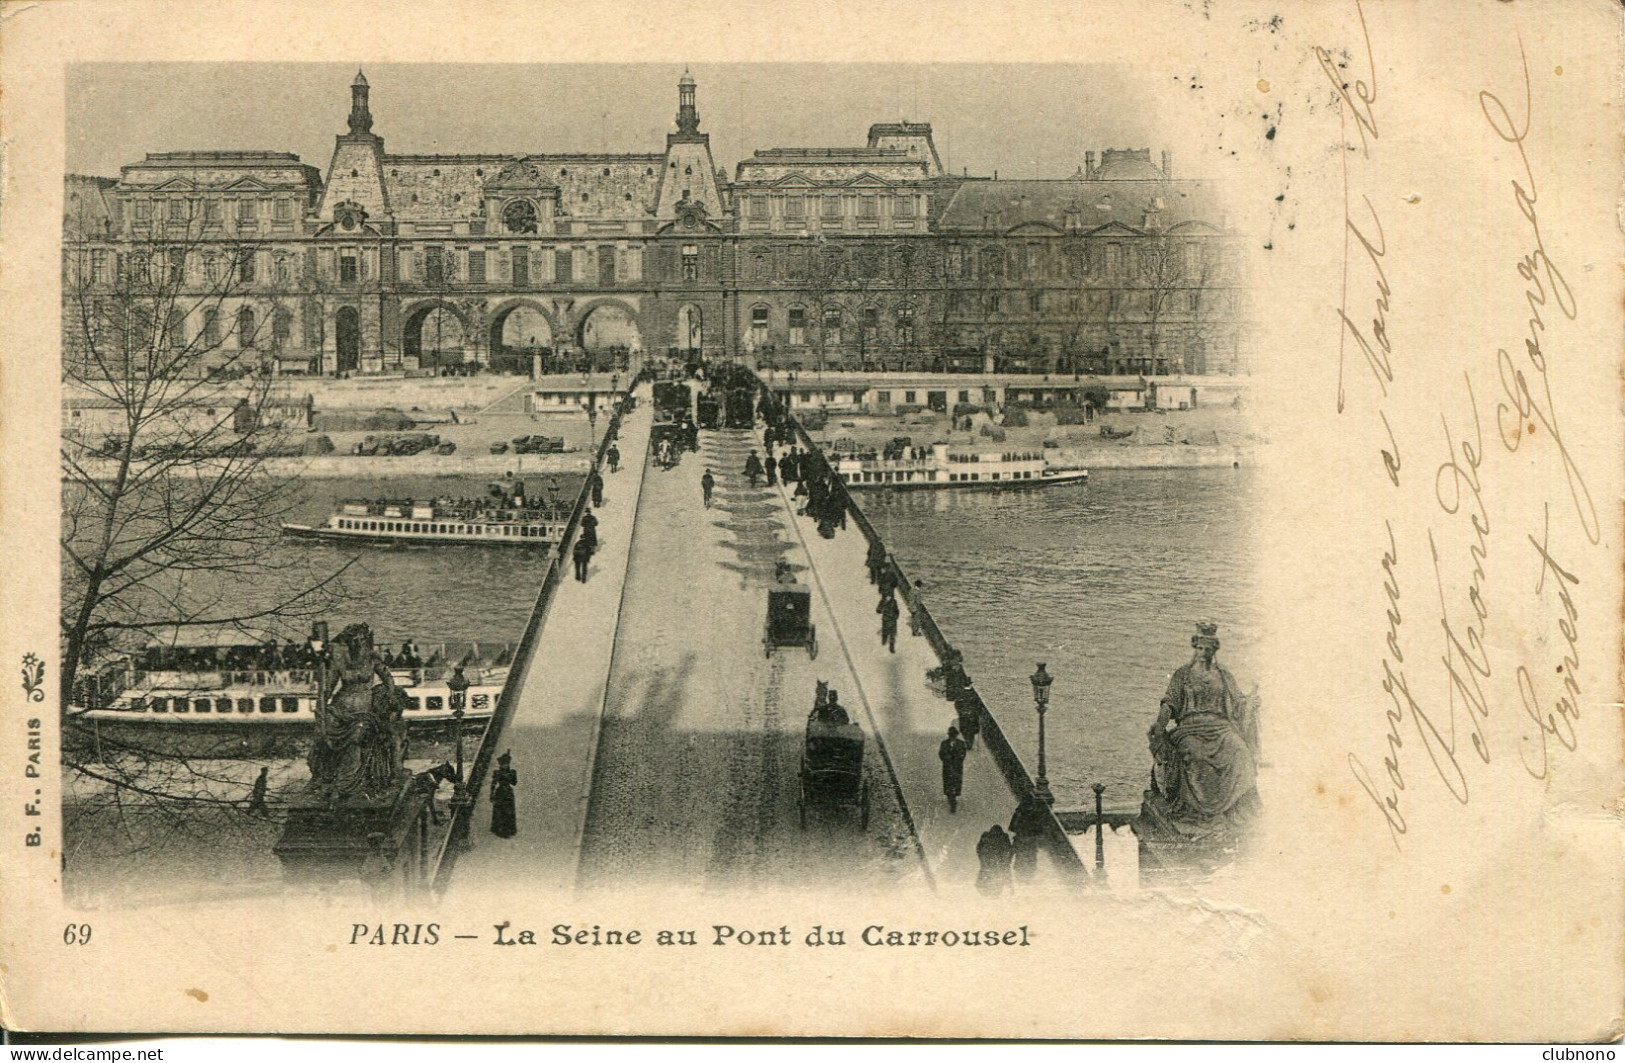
{"x": 909, "y": 718}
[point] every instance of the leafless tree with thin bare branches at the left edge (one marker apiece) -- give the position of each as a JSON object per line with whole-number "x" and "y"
{"x": 170, "y": 510}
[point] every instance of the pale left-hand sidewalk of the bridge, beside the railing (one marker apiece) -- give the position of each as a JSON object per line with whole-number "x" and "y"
{"x": 557, "y": 719}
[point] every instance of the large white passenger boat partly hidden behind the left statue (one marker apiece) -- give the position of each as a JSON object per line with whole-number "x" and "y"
{"x": 233, "y": 693}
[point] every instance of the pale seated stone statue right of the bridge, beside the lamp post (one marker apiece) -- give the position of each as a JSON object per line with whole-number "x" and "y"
{"x": 1205, "y": 744}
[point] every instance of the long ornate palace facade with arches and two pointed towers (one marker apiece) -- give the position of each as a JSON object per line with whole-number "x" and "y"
{"x": 865, "y": 258}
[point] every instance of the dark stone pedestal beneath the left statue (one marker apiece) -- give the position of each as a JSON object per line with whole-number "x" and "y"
{"x": 327, "y": 844}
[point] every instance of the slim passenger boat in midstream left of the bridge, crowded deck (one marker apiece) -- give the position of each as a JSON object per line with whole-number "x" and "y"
{"x": 409, "y": 523}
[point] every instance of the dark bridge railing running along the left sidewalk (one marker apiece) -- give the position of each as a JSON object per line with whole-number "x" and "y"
{"x": 508, "y": 703}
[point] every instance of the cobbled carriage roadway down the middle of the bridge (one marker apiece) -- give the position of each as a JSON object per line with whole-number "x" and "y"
{"x": 696, "y": 774}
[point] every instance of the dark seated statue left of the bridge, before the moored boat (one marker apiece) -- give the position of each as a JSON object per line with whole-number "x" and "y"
{"x": 360, "y": 734}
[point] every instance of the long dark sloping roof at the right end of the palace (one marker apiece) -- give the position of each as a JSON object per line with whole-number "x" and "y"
{"x": 1081, "y": 206}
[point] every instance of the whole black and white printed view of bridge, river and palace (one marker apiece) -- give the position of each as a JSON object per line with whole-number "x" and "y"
{"x": 534, "y": 513}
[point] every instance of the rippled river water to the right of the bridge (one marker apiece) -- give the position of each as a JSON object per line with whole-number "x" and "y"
{"x": 1103, "y": 583}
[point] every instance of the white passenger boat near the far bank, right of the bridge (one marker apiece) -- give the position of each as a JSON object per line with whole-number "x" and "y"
{"x": 938, "y": 467}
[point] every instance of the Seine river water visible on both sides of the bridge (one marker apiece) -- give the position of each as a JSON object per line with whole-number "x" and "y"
{"x": 1104, "y": 583}
